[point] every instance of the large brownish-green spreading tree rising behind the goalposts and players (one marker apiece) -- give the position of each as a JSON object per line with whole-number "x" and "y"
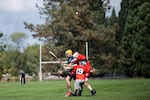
{"x": 70, "y": 23}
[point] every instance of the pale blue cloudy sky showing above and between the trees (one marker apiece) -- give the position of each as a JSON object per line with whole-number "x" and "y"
{"x": 14, "y": 12}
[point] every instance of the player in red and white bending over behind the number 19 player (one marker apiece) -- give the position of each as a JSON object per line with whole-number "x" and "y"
{"x": 81, "y": 58}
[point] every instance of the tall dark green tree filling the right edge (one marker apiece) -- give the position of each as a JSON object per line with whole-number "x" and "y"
{"x": 136, "y": 40}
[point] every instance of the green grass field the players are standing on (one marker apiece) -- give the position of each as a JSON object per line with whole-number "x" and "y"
{"x": 120, "y": 89}
